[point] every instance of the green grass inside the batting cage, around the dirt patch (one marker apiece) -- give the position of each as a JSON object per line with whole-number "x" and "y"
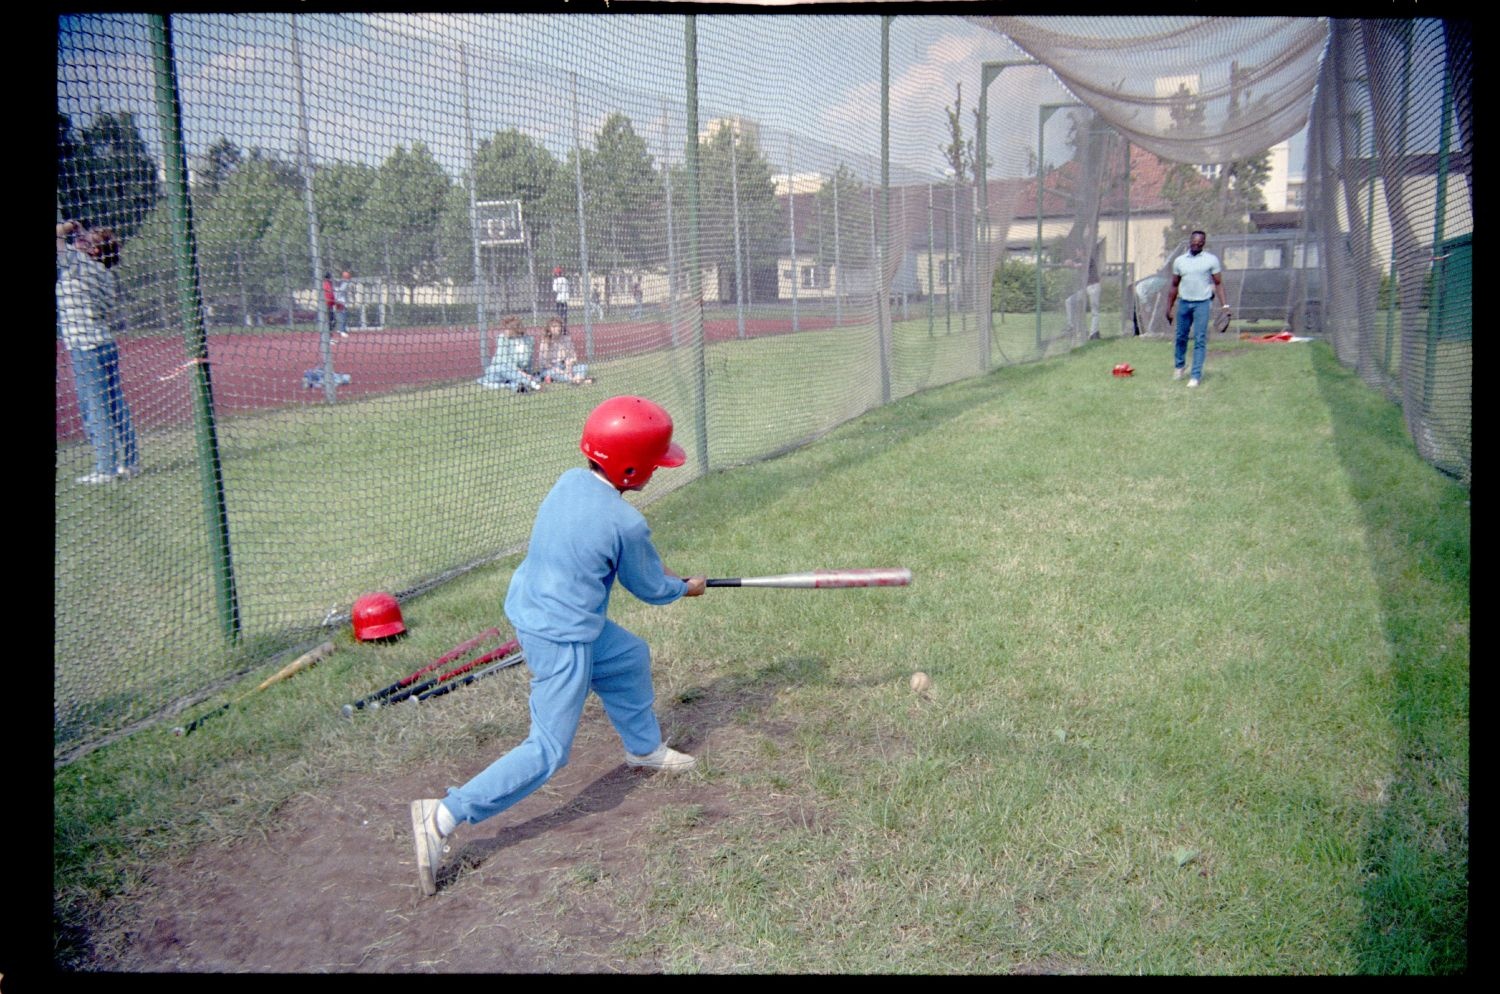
{"x": 1201, "y": 701}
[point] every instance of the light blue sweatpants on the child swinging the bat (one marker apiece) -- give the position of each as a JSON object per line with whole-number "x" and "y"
{"x": 617, "y": 666}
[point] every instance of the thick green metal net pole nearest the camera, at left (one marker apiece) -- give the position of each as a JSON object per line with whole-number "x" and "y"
{"x": 190, "y": 302}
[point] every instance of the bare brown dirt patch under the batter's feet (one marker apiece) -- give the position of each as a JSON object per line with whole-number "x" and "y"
{"x": 554, "y": 885}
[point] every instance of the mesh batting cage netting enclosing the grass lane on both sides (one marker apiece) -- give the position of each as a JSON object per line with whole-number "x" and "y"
{"x": 335, "y": 293}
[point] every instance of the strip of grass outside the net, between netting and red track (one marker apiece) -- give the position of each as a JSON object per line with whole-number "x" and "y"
{"x": 379, "y": 494}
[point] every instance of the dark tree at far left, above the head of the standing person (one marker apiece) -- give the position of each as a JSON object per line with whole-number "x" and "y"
{"x": 106, "y": 175}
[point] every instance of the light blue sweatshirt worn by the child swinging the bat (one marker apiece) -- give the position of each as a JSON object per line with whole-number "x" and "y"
{"x": 584, "y": 537}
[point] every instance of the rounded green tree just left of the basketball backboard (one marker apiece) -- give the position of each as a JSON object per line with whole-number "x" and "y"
{"x": 406, "y": 212}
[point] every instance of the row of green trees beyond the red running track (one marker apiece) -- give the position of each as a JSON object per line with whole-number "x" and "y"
{"x": 409, "y": 223}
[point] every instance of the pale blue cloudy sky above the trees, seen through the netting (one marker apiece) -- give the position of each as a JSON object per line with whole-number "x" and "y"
{"x": 367, "y": 83}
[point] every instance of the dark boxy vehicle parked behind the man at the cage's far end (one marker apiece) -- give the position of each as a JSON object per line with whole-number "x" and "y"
{"x": 1271, "y": 277}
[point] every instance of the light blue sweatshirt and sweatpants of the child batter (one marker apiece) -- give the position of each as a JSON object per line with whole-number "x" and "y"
{"x": 586, "y": 537}
